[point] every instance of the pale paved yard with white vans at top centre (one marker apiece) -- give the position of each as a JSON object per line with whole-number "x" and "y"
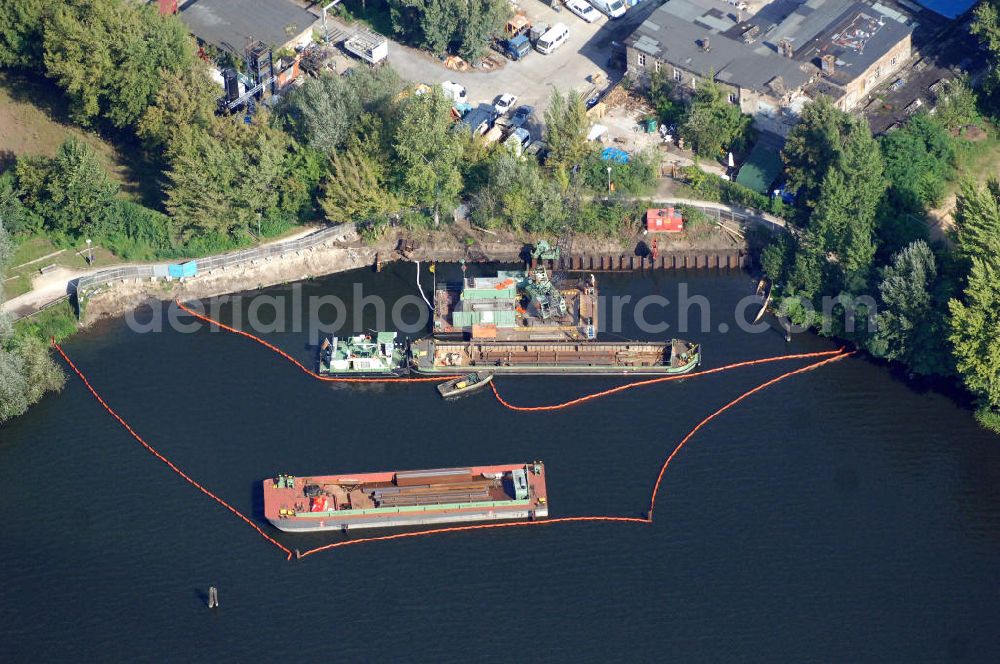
{"x": 534, "y": 77}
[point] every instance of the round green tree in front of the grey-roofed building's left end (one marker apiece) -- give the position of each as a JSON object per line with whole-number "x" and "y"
{"x": 712, "y": 124}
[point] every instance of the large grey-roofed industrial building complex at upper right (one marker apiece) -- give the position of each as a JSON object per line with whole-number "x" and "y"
{"x": 772, "y": 62}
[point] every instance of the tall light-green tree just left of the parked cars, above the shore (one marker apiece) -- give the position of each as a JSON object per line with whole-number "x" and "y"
{"x": 428, "y": 150}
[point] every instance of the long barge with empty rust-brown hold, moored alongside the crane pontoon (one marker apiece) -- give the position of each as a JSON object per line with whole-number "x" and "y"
{"x": 541, "y": 358}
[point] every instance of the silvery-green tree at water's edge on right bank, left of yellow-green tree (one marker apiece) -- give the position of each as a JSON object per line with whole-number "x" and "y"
{"x": 909, "y": 326}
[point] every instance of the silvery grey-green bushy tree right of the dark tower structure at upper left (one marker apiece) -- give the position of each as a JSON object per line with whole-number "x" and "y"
{"x": 321, "y": 112}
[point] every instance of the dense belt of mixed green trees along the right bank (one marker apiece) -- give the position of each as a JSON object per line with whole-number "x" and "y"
{"x": 858, "y": 263}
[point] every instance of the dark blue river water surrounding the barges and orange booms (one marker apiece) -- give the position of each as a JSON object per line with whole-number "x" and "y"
{"x": 841, "y": 515}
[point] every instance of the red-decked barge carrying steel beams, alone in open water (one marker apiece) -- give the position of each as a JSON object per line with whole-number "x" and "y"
{"x": 406, "y": 498}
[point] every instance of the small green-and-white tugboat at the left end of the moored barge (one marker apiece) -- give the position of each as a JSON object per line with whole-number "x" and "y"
{"x": 361, "y": 356}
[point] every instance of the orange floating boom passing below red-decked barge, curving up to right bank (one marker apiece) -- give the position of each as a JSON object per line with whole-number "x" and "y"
{"x": 839, "y": 355}
